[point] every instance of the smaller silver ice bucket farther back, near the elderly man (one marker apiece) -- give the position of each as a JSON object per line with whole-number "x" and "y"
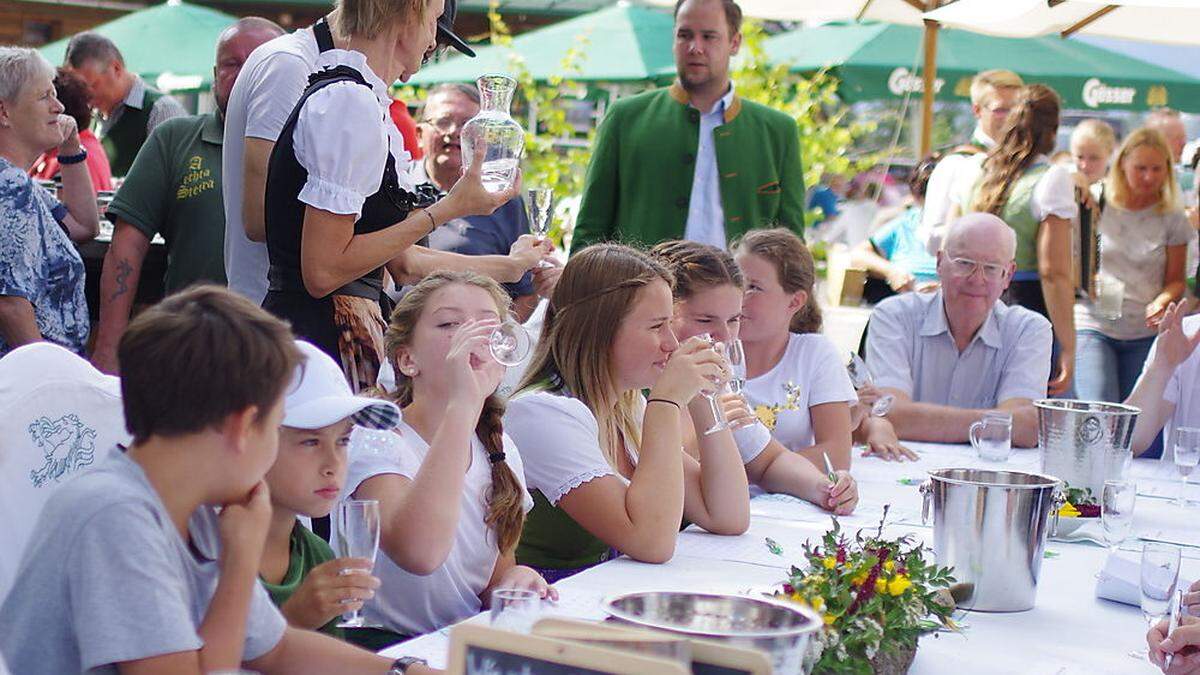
{"x": 1084, "y": 444}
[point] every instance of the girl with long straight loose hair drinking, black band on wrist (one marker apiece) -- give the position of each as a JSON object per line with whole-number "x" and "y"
{"x": 605, "y": 465}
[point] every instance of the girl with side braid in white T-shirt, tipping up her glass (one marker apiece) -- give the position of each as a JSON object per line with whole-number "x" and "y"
{"x": 451, "y": 485}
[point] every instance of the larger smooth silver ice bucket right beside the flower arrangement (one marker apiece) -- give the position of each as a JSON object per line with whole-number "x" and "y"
{"x": 991, "y": 527}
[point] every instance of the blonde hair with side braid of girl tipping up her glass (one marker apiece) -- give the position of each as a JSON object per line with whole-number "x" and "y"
{"x": 506, "y": 512}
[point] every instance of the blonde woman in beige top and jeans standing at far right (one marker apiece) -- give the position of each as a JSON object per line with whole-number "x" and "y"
{"x": 1144, "y": 241}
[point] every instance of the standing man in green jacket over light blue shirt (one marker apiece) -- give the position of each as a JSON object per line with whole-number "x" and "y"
{"x": 693, "y": 160}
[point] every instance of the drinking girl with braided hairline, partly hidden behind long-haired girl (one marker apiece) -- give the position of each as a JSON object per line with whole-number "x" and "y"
{"x": 709, "y": 290}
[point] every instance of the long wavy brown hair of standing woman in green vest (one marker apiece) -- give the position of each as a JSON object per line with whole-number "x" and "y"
{"x": 1031, "y": 132}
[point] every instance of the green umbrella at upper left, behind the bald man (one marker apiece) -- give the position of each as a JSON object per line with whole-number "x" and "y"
{"x": 171, "y": 46}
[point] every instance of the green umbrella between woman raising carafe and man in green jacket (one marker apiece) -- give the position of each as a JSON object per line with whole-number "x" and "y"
{"x": 620, "y": 44}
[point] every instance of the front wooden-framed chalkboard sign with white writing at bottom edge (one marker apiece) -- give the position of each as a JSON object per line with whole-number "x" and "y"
{"x": 479, "y": 650}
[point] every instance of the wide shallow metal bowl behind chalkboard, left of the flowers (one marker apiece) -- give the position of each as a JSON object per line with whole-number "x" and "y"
{"x": 778, "y": 629}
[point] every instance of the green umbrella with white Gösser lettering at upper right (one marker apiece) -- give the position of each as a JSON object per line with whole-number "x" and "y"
{"x": 877, "y": 62}
